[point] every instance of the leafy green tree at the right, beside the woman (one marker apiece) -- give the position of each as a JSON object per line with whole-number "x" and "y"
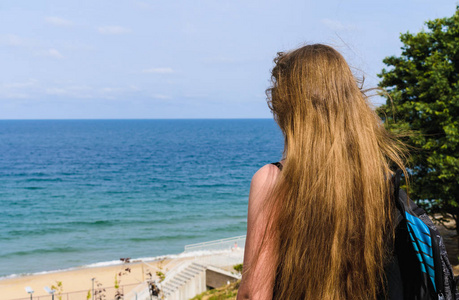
{"x": 423, "y": 83}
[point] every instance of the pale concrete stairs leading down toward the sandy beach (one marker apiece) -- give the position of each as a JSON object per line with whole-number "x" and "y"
{"x": 185, "y": 282}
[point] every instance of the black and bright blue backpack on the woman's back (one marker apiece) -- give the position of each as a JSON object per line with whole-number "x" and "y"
{"x": 420, "y": 268}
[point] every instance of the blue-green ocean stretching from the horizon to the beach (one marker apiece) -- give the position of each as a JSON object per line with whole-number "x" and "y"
{"x": 81, "y": 192}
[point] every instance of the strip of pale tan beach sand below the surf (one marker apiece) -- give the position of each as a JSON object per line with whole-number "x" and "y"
{"x": 77, "y": 282}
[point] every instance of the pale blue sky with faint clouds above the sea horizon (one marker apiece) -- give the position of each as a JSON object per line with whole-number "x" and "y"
{"x": 151, "y": 59}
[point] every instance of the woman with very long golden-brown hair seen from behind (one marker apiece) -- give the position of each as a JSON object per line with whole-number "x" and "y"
{"x": 321, "y": 228}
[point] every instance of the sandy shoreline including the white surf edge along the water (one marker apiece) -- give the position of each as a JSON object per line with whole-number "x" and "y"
{"x": 76, "y": 282}
